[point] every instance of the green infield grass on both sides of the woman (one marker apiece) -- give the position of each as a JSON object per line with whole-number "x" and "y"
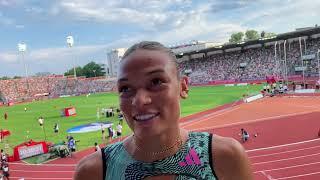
{"x": 24, "y": 125}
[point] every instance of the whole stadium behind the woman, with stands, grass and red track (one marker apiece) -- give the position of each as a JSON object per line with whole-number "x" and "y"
{"x": 227, "y": 95}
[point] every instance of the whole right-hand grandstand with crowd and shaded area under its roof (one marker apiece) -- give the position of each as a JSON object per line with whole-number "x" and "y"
{"x": 245, "y": 64}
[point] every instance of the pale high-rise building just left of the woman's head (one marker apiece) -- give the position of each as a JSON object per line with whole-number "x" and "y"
{"x": 113, "y": 58}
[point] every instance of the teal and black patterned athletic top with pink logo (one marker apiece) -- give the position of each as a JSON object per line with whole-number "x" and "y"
{"x": 192, "y": 161}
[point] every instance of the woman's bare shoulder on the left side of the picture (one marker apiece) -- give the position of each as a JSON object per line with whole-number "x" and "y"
{"x": 90, "y": 167}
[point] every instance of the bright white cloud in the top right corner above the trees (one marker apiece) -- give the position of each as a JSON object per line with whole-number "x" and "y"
{"x": 283, "y": 16}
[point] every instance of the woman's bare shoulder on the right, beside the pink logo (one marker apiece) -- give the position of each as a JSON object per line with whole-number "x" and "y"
{"x": 230, "y": 161}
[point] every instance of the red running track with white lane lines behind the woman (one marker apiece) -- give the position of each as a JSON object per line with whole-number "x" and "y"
{"x": 286, "y": 147}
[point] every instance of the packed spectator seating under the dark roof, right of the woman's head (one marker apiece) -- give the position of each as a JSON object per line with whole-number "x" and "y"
{"x": 260, "y": 62}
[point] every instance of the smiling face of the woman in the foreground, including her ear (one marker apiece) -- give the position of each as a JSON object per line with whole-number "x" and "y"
{"x": 149, "y": 92}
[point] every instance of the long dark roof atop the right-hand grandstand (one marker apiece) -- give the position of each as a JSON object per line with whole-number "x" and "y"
{"x": 285, "y": 36}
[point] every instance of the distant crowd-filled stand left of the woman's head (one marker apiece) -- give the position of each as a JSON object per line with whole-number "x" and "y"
{"x": 26, "y": 89}
